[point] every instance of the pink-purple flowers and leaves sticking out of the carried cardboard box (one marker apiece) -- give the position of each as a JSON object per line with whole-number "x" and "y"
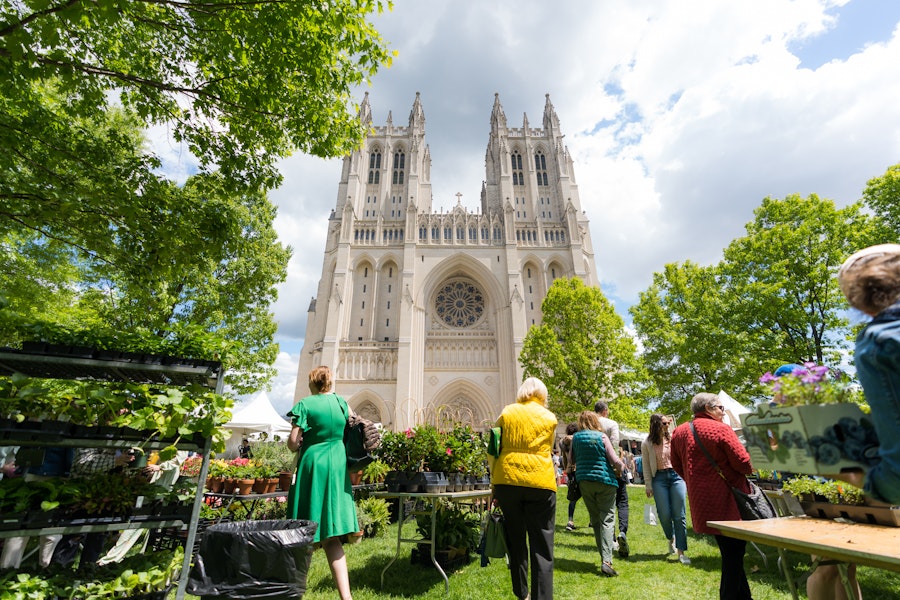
{"x": 810, "y": 384}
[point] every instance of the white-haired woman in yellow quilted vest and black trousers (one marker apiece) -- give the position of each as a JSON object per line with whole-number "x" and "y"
{"x": 524, "y": 484}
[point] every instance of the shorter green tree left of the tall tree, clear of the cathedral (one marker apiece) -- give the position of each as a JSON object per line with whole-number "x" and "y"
{"x": 688, "y": 343}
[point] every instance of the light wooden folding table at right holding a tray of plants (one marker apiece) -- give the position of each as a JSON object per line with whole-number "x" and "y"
{"x": 872, "y": 545}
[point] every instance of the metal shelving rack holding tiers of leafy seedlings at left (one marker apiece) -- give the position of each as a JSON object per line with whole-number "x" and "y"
{"x": 178, "y": 372}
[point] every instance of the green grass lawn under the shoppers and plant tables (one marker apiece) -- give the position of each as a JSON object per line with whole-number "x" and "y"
{"x": 647, "y": 574}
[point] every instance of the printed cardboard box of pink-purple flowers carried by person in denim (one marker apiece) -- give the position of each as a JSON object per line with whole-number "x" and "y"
{"x": 813, "y": 425}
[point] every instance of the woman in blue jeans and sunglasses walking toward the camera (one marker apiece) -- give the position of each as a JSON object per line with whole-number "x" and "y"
{"x": 665, "y": 486}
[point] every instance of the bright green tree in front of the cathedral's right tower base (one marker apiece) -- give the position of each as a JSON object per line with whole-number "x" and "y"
{"x": 583, "y": 353}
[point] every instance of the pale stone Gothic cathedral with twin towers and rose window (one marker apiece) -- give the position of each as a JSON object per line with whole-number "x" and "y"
{"x": 422, "y": 315}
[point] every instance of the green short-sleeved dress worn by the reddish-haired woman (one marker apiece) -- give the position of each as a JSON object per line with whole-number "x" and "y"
{"x": 321, "y": 491}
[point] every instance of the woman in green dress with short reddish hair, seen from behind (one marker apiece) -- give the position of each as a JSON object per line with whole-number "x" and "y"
{"x": 321, "y": 490}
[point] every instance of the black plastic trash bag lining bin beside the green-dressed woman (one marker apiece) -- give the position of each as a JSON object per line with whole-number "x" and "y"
{"x": 253, "y": 559}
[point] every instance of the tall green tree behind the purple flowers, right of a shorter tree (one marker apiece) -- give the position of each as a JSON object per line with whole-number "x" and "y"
{"x": 781, "y": 278}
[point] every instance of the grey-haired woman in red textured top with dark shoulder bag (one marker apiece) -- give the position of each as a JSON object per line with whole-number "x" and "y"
{"x": 709, "y": 495}
